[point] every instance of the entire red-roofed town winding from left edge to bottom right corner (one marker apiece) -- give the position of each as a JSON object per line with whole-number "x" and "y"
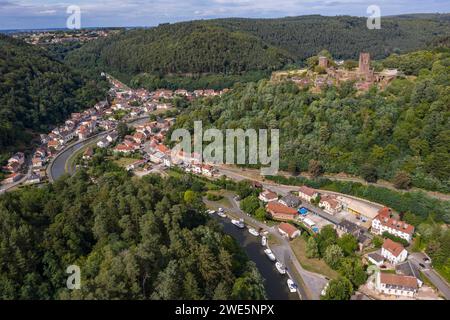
{"x": 394, "y": 273}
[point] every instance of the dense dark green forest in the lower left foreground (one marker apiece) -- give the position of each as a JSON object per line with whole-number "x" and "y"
{"x": 146, "y": 238}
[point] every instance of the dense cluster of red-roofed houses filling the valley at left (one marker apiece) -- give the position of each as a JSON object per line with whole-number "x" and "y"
{"x": 128, "y": 106}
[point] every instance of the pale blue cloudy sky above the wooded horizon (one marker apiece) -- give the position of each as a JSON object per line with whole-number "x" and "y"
{"x": 23, "y": 14}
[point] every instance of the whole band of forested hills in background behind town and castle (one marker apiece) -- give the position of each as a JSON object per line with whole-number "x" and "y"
{"x": 182, "y": 54}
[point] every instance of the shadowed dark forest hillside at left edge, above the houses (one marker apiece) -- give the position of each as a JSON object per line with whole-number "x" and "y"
{"x": 37, "y": 92}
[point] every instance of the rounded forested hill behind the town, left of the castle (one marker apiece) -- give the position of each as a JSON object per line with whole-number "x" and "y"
{"x": 183, "y": 48}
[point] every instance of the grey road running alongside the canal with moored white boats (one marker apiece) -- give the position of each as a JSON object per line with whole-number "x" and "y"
{"x": 314, "y": 282}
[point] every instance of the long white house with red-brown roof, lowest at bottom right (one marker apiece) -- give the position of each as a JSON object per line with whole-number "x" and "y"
{"x": 395, "y": 284}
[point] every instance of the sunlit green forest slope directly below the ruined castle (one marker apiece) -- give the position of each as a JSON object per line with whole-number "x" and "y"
{"x": 404, "y": 129}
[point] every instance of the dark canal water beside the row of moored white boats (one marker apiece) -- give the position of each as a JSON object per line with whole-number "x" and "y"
{"x": 274, "y": 283}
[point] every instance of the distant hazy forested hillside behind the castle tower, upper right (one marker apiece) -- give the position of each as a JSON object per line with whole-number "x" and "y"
{"x": 344, "y": 36}
